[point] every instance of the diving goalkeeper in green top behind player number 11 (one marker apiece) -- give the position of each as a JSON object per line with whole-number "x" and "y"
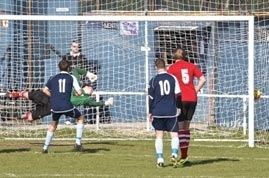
{"x": 42, "y": 100}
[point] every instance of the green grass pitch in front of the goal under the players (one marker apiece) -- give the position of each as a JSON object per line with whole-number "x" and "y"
{"x": 129, "y": 159}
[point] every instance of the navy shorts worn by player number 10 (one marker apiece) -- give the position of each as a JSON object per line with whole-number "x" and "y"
{"x": 165, "y": 124}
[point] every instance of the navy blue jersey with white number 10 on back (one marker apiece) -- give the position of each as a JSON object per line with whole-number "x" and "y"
{"x": 162, "y": 95}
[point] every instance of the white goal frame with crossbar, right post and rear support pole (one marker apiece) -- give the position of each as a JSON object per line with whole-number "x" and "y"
{"x": 249, "y": 19}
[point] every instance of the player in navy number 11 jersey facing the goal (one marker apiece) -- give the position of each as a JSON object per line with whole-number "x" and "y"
{"x": 59, "y": 88}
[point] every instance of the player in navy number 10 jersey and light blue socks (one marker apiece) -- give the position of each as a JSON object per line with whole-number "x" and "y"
{"x": 163, "y": 90}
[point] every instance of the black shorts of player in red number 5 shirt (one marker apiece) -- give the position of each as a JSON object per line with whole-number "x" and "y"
{"x": 187, "y": 110}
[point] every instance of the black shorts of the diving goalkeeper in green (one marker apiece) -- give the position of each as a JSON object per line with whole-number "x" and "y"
{"x": 42, "y": 102}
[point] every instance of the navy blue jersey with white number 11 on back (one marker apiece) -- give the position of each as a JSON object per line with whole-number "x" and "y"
{"x": 61, "y": 86}
